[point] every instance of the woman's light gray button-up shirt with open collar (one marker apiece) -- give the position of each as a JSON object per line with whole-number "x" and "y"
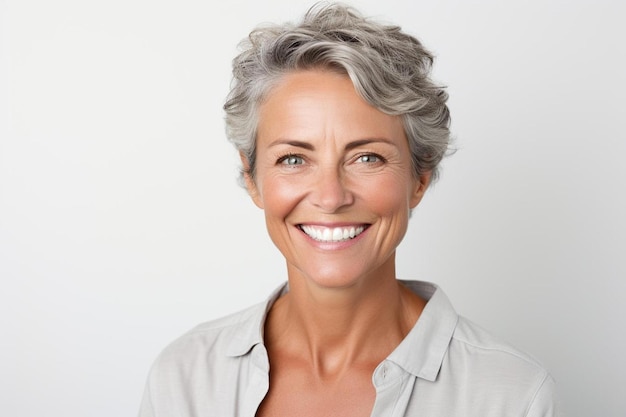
{"x": 445, "y": 367}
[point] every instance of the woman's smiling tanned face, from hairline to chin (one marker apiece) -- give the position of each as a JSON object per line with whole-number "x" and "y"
{"x": 334, "y": 178}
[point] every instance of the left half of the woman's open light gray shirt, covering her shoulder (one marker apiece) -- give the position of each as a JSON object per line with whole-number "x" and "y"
{"x": 196, "y": 370}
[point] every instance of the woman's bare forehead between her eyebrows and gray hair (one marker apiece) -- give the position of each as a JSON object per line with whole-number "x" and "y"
{"x": 318, "y": 103}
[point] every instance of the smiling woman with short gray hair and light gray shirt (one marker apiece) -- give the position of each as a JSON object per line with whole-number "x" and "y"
{"x": 340, "y": 131}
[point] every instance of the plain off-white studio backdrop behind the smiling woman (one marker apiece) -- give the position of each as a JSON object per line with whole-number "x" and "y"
{"x": 122, "y": 225}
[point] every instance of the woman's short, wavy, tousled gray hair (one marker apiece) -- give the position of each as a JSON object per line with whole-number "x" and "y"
{"x": 389, "y": 69}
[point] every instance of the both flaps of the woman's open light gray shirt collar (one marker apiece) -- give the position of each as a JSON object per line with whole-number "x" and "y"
{"x": 421, "y": 352}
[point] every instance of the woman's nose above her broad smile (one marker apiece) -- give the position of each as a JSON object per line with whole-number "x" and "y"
{"x": 329, "y": 190}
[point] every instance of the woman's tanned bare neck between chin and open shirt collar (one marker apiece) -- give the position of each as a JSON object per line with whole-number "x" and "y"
{"x": 335, "y": 328}
